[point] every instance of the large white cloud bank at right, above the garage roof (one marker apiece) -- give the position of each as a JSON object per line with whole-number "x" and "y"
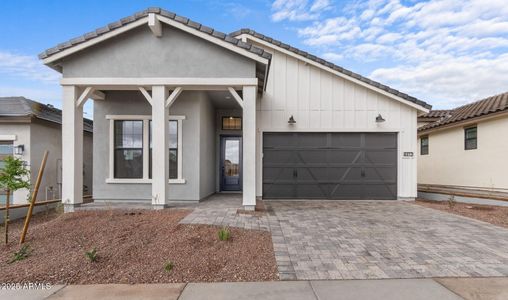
{"x": 439, "y": 50}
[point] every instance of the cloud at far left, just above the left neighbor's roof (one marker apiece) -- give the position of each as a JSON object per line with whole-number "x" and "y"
{"x": 25, "y": 66}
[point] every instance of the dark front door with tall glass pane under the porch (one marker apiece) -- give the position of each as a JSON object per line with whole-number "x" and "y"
{"x": 231, "y": 163}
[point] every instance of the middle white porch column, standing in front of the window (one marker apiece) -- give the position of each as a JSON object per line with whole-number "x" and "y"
{"x": 160, "y": 147}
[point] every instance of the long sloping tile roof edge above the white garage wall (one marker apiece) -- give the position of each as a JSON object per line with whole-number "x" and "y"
{"x": 330, "y": 65}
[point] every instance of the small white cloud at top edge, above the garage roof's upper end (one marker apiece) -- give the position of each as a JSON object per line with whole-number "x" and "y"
{"x": 298, "y": 10}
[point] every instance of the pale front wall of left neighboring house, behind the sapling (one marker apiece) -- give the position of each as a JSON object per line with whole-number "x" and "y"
{"x": 22, "y": 133}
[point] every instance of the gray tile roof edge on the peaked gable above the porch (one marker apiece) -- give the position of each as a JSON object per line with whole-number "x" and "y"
{"x": 139, "y": 15}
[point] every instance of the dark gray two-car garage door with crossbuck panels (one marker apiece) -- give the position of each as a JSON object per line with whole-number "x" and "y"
{"x": 320, "y": 165}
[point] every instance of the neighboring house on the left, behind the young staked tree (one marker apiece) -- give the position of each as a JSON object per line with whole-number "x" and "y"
{"x": 27, "y": 129}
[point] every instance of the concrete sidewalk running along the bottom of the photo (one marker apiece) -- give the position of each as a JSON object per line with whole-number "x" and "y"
{"x": 390, "y": 289}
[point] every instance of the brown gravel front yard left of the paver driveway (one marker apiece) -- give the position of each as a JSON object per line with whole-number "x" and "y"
{"x": 132, "y": 247}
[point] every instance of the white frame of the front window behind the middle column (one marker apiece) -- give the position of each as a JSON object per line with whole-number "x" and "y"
{"x": 146, "y": 148}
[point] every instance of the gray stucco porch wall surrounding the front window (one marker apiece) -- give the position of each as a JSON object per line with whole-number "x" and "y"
{"x": 194, "y": 105}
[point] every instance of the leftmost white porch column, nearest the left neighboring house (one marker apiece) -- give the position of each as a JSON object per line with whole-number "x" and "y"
{"x": 72, "y": 149}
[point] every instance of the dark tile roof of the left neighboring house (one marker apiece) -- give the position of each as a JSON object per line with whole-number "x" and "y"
{"x": 23, "y": 107}
